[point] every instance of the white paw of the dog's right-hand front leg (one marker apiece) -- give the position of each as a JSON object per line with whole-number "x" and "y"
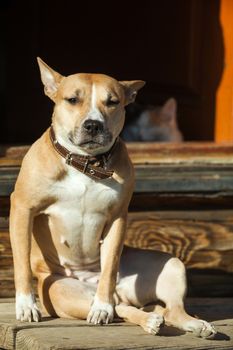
{"x": 100, "y": 312}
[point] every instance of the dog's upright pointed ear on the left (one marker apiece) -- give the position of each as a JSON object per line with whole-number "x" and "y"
{"x": 50, "y": 79}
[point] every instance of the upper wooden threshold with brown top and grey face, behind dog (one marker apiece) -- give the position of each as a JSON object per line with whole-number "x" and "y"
{"x": 185, "y": 168}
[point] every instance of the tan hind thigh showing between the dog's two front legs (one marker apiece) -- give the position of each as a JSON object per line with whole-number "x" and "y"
{"x": 65, "y": 296}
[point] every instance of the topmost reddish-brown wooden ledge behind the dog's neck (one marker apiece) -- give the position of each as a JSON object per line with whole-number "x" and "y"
{"x": 150, "y": 153}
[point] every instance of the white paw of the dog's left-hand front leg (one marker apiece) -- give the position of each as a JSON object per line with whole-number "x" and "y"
{"x": 26, "y": 308}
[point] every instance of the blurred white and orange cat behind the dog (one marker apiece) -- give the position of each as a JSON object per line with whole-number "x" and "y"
{"x": 151, "y": 123}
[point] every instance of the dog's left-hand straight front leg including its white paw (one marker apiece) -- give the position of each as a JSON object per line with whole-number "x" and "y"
{"x": 20, "y": 234}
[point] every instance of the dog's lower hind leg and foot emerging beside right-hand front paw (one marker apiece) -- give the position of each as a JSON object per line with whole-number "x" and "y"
{"x": 150, "y": 322}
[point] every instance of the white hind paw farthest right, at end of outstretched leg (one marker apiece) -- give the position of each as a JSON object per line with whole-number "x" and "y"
{"x": 200, "y": 328}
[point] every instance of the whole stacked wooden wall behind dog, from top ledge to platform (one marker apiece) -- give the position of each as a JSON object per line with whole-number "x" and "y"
{"x": 182, "y": 204}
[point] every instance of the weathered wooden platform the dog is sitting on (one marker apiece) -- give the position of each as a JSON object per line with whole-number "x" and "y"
{"x": 75, "y": 334}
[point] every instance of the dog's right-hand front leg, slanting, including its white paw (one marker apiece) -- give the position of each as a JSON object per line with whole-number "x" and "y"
{"x": 102, "y": 310}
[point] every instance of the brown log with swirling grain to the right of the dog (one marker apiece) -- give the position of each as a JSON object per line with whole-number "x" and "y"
{"x": 198, "y": 242}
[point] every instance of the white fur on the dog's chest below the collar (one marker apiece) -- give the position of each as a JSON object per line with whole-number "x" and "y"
{"x": 78, "y": 217}
